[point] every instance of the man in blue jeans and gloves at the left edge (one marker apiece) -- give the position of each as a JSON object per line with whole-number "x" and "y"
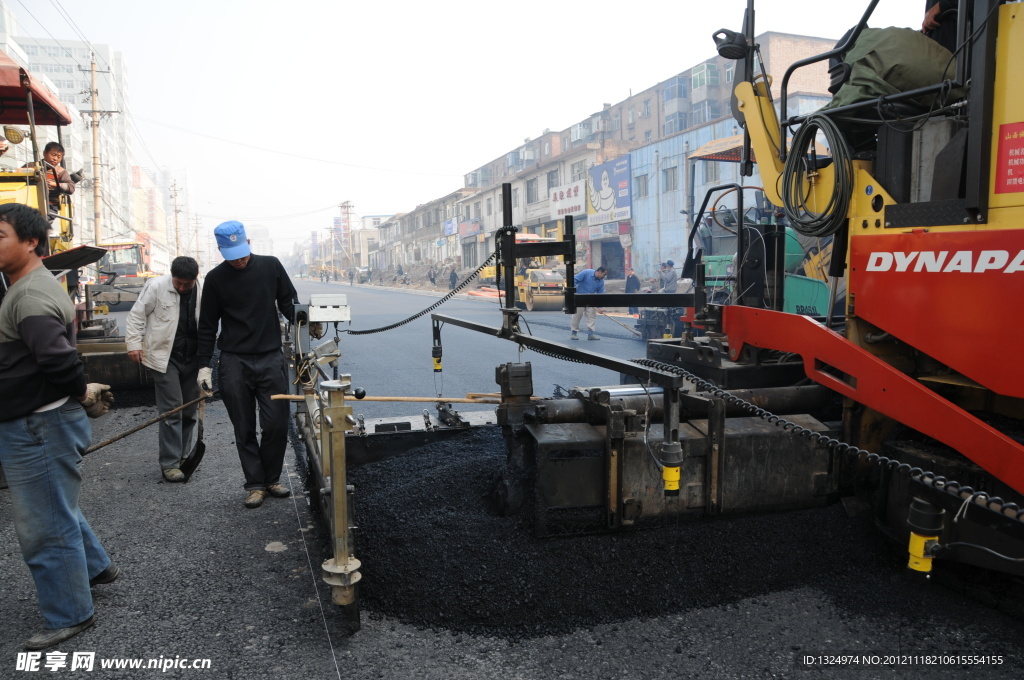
{"x": 46, "y": 406}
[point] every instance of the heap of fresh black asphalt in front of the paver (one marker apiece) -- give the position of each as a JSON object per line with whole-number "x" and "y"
{"x": 436, "y": 554}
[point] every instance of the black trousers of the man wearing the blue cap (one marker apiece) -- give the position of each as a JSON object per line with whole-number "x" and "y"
{"x": 247, "y": 381}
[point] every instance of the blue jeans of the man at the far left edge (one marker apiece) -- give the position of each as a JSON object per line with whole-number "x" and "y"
{"x": 41, "y": 455}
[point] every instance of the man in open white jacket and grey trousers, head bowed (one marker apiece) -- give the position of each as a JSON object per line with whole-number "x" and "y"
{"x": 162, "y": 334}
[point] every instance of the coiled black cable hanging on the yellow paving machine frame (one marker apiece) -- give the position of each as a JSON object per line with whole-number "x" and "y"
{"x": 801, "y": 172}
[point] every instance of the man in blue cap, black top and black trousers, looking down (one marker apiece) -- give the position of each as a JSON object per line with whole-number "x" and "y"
{"x": 244, "y": 296}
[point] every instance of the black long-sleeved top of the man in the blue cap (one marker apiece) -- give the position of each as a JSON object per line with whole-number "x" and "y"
{"x": 245, "y": 304}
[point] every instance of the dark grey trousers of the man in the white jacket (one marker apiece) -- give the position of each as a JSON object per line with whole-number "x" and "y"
{"x": 174, "y": 388}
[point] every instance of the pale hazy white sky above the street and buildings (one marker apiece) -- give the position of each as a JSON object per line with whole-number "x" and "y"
{"x": 281, "y": 111}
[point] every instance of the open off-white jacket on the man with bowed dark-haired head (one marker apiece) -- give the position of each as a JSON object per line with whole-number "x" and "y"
{"x": 154, "y": 321}
